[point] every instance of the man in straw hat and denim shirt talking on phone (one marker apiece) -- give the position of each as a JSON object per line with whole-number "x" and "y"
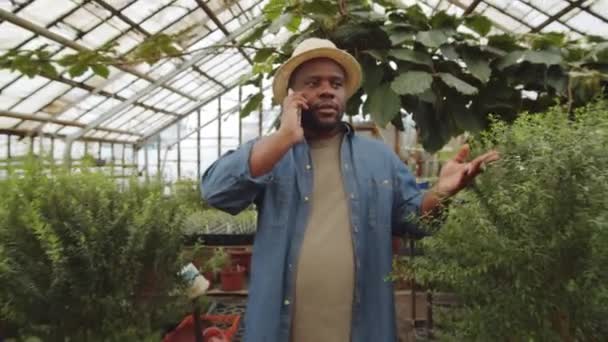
{"x": 328, "y": 201}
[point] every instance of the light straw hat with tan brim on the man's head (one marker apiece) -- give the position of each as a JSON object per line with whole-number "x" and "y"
{"x": 313, "y": 48}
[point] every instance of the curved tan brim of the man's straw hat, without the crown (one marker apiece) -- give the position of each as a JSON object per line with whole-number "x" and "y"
{"x": 348, "y": 62}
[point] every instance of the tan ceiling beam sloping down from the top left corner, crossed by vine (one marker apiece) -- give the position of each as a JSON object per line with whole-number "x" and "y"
{"x": 8, "y": 16}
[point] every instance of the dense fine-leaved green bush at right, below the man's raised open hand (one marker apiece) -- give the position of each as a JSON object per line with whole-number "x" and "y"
{"x": 527, "y": 250}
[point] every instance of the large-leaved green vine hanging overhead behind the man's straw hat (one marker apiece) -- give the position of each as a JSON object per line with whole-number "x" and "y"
{"x": 450, "y": 71}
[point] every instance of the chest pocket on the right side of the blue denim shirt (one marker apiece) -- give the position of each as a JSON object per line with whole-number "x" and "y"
{"x": 380, "y": 203}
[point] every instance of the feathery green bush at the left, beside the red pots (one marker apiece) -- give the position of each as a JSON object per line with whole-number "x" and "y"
{"x": 80, "y": 259}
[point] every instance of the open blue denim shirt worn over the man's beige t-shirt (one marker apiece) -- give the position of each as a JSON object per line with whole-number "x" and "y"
{"x": 381, "y": 193}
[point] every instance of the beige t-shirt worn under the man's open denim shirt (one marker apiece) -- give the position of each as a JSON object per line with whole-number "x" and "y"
{"x": 325, "y": 270}
